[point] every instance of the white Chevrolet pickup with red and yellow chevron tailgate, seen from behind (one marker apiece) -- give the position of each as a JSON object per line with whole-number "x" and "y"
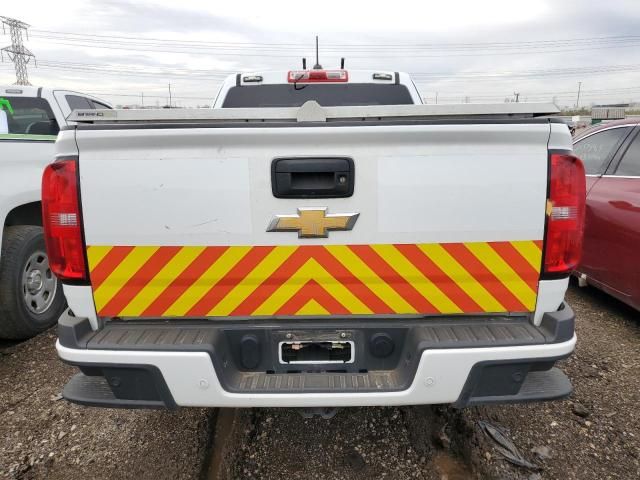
{"x": 319, "y": 240}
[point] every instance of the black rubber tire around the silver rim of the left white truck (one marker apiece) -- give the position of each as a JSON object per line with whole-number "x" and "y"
{"x": 17, "y": 320}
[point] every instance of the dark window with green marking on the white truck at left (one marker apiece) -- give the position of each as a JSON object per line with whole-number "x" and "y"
{"x": 27, "y": 115}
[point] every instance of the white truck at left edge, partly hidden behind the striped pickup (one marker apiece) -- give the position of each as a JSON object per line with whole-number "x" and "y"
{"x": 31, "y": 299}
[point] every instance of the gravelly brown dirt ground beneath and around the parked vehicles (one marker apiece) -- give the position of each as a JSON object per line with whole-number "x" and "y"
{"x": 595, "y": 434}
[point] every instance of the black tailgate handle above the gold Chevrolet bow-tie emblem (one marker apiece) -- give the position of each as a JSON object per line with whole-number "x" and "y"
{"x": 305, "y": 177}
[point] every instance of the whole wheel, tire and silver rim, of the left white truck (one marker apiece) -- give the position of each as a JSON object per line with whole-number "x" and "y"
{"x": 31, "y": 298}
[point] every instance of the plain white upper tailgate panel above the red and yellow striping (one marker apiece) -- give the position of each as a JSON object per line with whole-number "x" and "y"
{"x": 409, "y": 184}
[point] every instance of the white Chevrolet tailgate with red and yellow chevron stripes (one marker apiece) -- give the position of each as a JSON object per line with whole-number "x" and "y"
{"x": 451, "y": 220}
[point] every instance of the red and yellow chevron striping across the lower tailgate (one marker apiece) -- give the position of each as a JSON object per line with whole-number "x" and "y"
{"x": 445, "y": 278}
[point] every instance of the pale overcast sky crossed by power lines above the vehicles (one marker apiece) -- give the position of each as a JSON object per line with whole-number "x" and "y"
{"x": 478, "y": 51}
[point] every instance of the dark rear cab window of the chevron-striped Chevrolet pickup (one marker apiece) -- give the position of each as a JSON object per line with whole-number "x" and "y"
{"x": 328, "y": 95}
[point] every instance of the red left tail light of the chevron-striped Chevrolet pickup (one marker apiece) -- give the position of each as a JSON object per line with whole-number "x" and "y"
{"x": 62, "y": 221}
